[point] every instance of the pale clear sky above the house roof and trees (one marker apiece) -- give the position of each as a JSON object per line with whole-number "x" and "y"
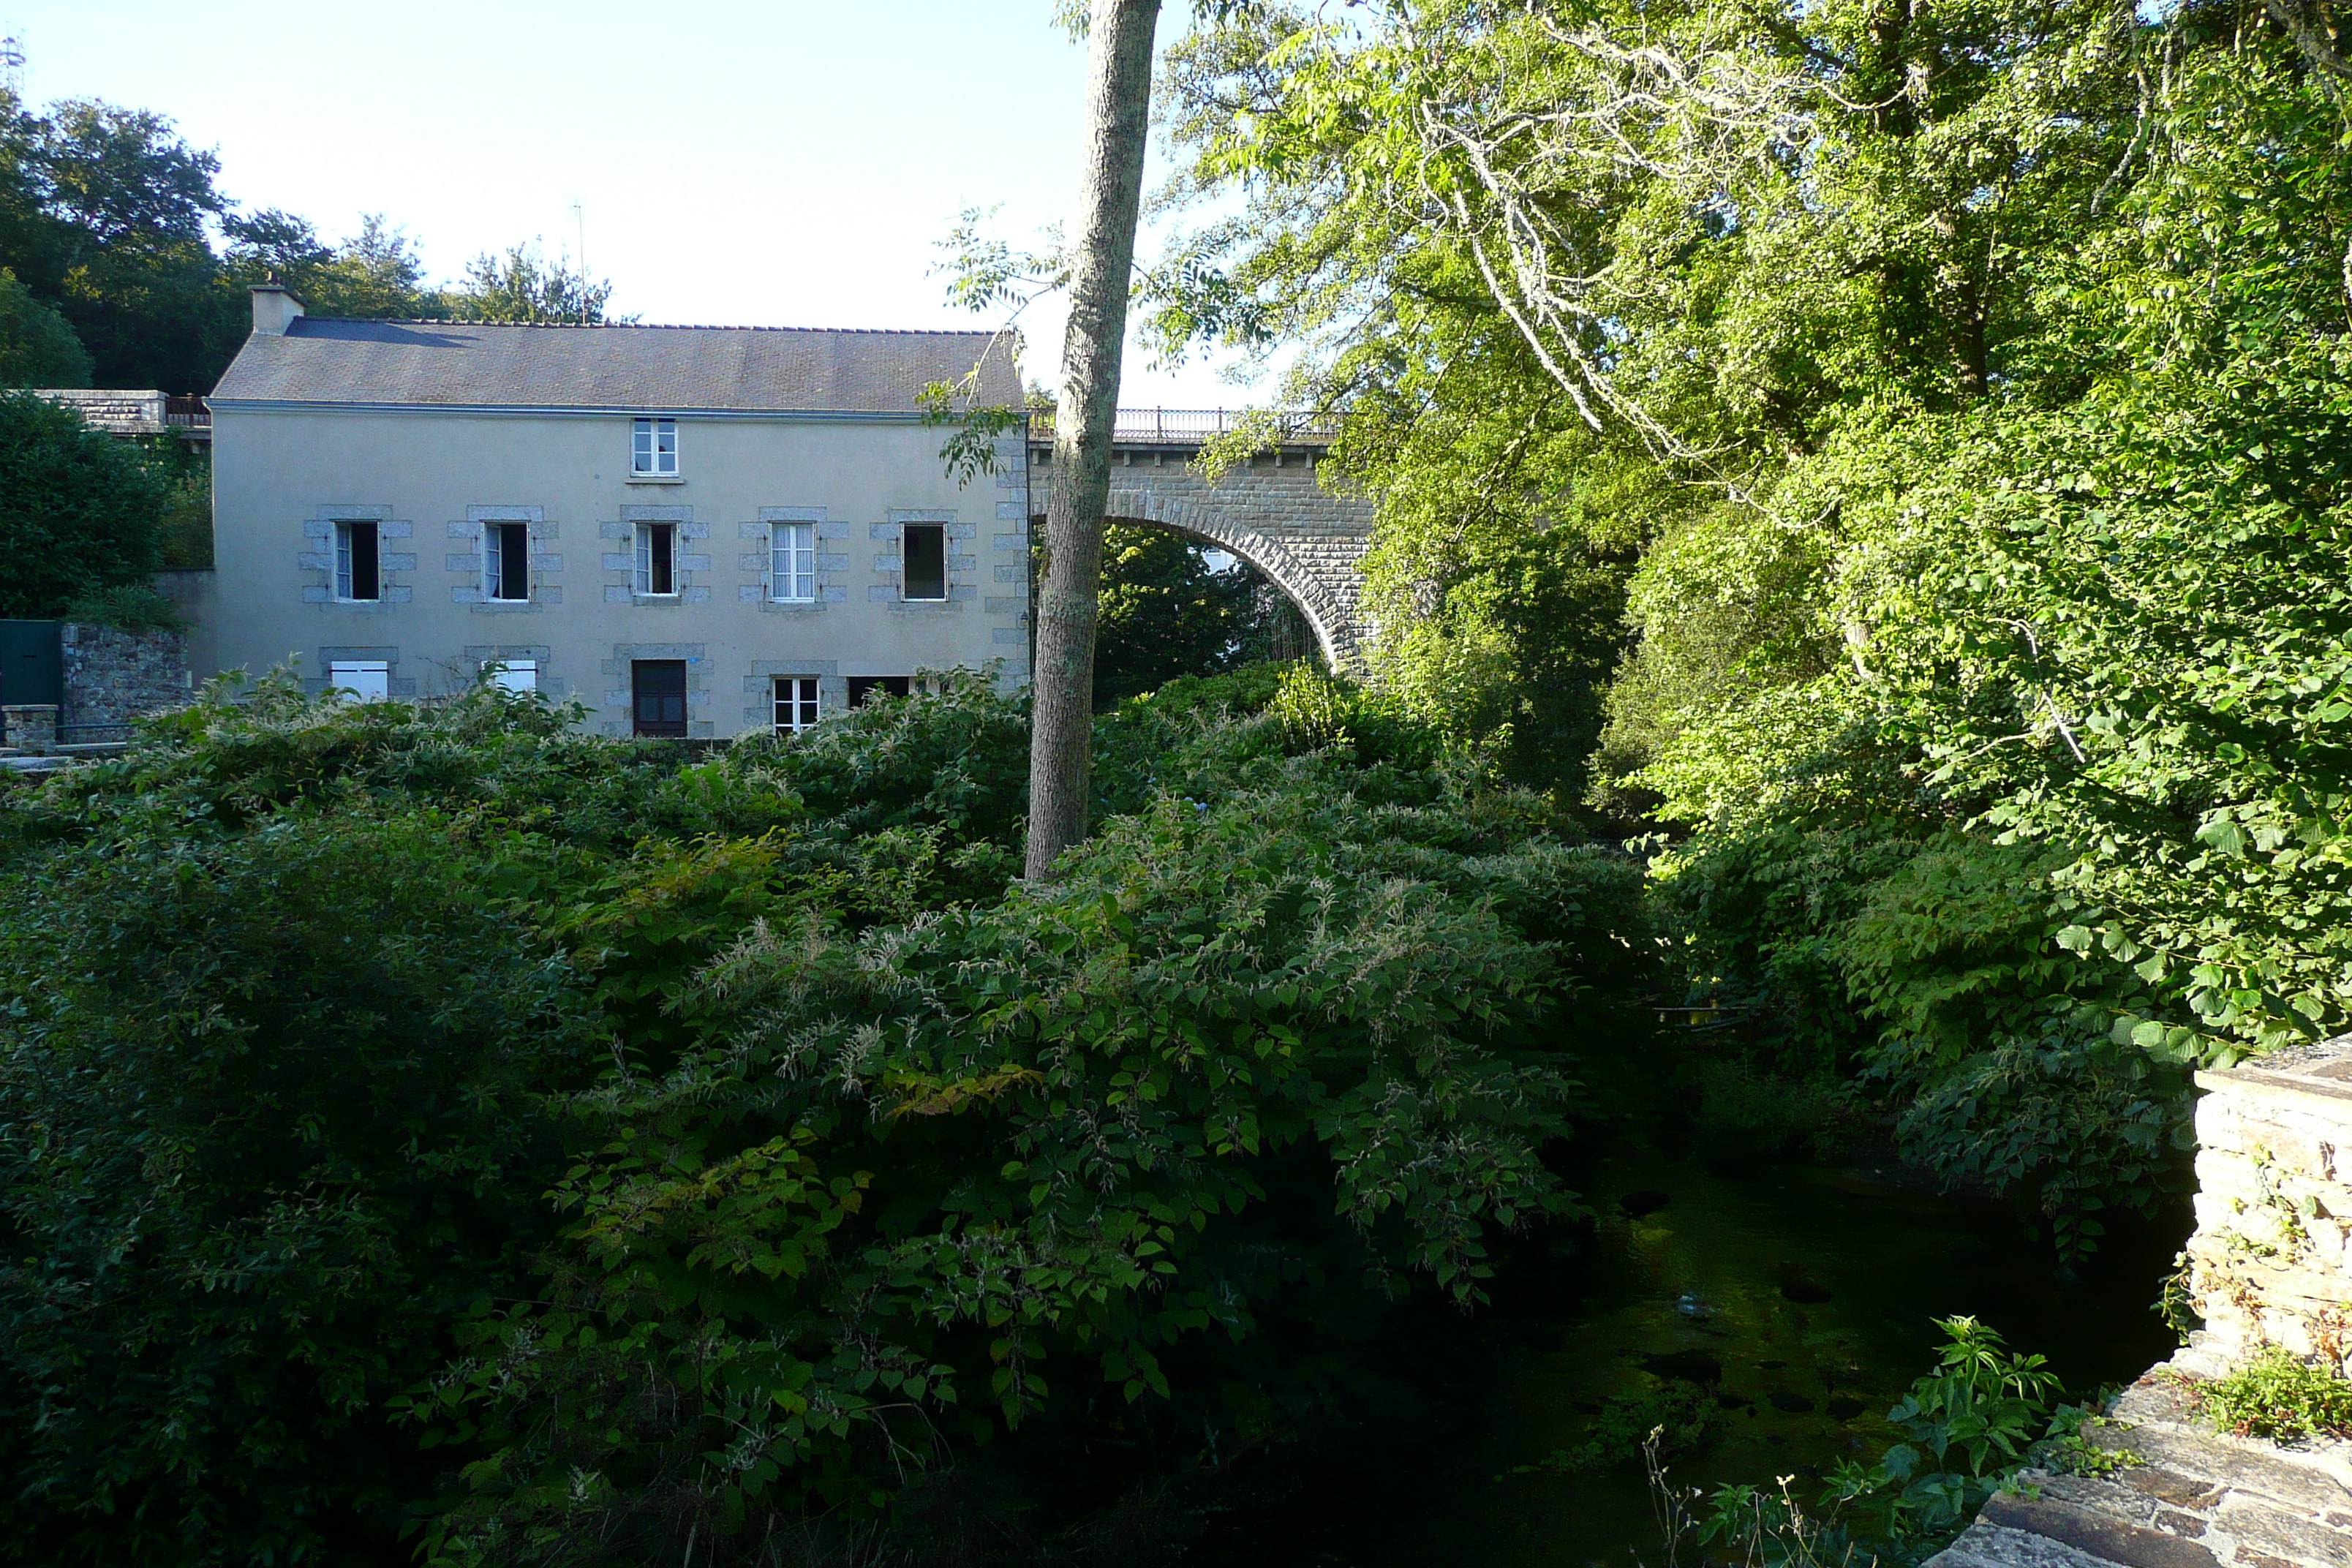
{"x": 782, "y": 163}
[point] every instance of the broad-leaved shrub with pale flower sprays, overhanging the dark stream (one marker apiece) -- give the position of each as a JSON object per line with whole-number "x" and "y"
{"x": 1022, "y": 1162}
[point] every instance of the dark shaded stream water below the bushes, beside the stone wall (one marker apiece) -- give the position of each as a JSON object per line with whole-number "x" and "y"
{"x": 1810, "y": 1289}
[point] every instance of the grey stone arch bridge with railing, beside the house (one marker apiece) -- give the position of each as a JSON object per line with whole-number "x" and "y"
{"x": 1269, "y": 511}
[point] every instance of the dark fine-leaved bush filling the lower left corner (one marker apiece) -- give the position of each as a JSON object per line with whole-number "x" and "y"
{"x": 272, "y": 1120}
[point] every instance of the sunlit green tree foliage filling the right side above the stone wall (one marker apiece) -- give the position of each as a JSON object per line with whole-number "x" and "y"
{"x": 1956, "y": 394}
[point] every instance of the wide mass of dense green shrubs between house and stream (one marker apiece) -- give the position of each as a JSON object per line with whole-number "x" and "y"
{"x": 860, "y": 1153}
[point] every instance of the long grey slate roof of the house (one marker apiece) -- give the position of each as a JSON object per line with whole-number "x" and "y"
{"x": 326, "y": 361}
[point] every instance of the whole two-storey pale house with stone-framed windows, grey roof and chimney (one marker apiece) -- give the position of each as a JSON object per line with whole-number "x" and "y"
{"x": 693, "y": 530}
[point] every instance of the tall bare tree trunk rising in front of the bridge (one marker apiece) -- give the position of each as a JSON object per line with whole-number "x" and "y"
{"x": 1118, "y": 119}
